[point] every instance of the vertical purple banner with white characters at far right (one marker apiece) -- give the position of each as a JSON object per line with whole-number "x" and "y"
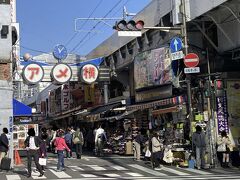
{"x": 222, "y": 114}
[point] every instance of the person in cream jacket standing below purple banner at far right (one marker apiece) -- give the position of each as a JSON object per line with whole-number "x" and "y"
{"x": 224, "y": 148}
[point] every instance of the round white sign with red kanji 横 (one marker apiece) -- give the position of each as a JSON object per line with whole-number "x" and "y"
{"x": 89, "y": 73}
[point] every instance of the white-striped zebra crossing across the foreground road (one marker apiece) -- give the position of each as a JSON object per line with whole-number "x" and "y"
{"x": 128, "y": 171}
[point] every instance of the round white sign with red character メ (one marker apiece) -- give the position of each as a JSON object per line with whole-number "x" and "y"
{"x": 61, "y": 73}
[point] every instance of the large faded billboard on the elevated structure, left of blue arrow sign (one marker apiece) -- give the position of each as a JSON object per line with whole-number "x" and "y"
{"x": 152, "y": 68}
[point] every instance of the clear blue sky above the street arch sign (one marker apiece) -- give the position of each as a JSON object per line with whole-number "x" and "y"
{"x": 45, "y": 23}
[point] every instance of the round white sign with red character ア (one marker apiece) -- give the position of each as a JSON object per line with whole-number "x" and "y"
{"x": 33, "y": 73}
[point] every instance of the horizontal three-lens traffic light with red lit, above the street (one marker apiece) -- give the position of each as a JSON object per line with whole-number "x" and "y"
{"x": 129, "y": 26}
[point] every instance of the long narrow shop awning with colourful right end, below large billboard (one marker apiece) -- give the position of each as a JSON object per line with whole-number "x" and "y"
{"x": 170, "y": 101}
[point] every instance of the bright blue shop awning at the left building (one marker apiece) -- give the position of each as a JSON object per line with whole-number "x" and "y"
{"x": 20, "y": 109}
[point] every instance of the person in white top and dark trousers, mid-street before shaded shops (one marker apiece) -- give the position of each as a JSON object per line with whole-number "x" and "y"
{"x": 100, "y": 137}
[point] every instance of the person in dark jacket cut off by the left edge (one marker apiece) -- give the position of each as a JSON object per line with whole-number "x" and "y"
{"x": 4, "y": 144}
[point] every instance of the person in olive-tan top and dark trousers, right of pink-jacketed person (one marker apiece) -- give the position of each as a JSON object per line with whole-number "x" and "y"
{"x": 78, "y": 141}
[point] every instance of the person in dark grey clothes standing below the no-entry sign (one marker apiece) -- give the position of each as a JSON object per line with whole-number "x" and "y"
{"x": 199, "y": 141}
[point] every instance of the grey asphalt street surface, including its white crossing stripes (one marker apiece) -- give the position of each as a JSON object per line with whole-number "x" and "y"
{"x": 118, "y": 167}
